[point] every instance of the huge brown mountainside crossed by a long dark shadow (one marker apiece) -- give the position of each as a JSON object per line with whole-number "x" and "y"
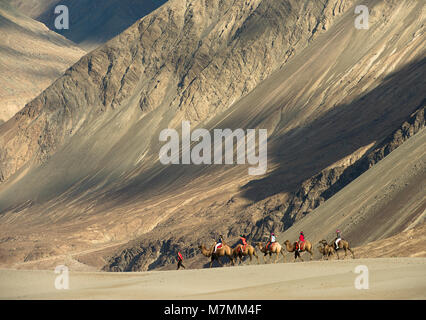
{"x": 79, "y": 165}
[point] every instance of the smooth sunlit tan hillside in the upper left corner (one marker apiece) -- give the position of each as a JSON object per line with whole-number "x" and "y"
{"x": 31, "y": 58}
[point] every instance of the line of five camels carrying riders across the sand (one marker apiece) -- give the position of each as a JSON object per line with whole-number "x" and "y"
{"x": 220, "y": 249}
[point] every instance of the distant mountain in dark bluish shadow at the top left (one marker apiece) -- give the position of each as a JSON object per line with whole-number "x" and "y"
{"x": 91, "y": 22}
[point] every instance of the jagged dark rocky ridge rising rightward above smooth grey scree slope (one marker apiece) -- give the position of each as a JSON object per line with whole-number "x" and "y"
{"x": 328, "y": 182}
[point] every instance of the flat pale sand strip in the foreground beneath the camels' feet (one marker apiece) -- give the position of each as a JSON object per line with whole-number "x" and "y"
{"x": 389, "y": 278}
